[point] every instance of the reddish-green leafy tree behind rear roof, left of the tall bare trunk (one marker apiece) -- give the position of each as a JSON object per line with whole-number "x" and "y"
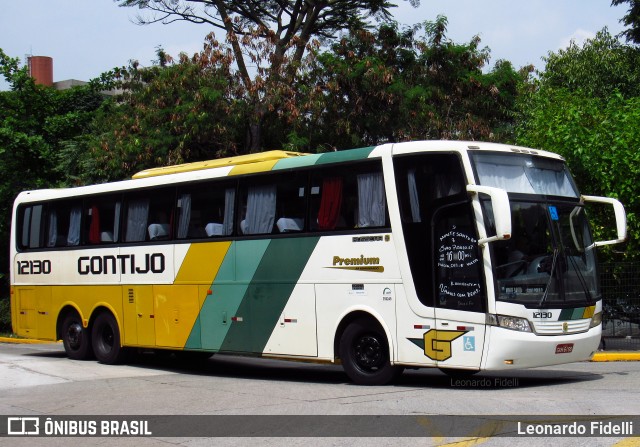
{"x": 171, "y": 113}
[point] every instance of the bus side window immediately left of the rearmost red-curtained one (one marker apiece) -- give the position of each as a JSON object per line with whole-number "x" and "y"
{"x": 64, "y": 224}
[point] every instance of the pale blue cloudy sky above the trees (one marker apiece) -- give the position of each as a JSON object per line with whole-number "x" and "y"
{"x": 88, "y": 37}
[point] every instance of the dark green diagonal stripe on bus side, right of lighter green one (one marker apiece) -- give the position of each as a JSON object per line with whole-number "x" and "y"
{"x": 268, "y": 294}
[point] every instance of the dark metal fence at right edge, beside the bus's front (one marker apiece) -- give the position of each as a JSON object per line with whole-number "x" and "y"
{"x": 620, "y": 283}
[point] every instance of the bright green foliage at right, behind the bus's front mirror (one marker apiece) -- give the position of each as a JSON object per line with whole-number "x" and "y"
{"x": 571, "y": 110}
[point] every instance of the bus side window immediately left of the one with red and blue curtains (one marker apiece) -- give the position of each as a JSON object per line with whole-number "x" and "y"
{"x": 273, "y": 204}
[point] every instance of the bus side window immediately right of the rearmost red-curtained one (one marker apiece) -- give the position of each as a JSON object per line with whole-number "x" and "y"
{"x": 150, "y": 215}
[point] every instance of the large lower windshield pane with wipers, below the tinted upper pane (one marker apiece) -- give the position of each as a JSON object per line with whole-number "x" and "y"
{"x": 550, "y": 259}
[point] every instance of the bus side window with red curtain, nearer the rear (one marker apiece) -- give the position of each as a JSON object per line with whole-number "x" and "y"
{"x": 102, "y": 220}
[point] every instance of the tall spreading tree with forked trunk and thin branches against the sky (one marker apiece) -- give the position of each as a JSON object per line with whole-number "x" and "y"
{"x": 284, "y": 28}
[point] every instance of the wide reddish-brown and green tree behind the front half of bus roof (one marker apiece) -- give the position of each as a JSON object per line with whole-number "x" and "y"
{"x": 395, "y": 84}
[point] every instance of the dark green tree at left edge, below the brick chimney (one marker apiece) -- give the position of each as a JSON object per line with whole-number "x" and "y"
{"x": 36, "y": 123}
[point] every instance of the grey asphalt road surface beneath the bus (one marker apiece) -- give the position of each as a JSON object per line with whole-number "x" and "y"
{"x": 39, "y": 380}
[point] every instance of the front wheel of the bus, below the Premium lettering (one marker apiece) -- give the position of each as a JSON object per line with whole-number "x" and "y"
{"x": 364, "y": 351}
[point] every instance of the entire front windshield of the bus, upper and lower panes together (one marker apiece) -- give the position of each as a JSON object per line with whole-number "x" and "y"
{"x": 550, "y": 259}
